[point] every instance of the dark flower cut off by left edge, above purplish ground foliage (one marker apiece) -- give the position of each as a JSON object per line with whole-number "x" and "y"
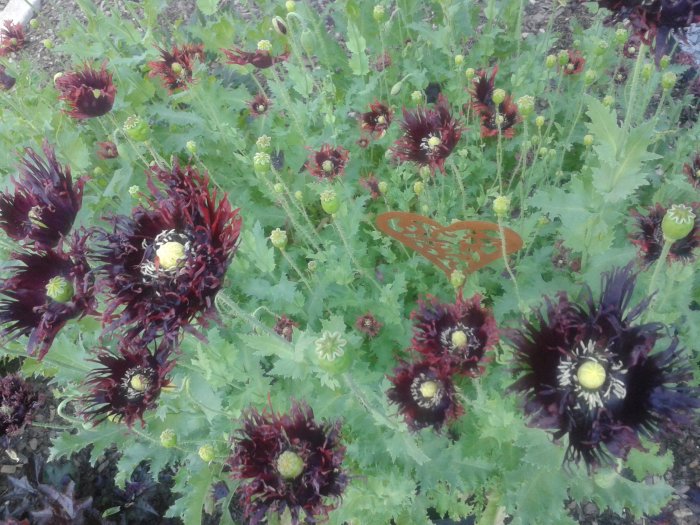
{"x": 18, "y": 401}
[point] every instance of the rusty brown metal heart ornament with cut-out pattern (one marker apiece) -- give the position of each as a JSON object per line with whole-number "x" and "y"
{"x": 473, "y": 244}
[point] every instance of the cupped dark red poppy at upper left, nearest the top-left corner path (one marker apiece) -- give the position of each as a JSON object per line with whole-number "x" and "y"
{"x": 89, "y": 92}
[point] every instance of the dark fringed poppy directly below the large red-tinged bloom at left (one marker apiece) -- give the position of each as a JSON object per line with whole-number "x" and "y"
{"x": 128, "y": 383}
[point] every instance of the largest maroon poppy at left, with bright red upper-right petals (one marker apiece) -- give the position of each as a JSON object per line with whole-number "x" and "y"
{"x": 163, "y": 265}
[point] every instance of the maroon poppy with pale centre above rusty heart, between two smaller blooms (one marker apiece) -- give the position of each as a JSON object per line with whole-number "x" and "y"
{"x": 429, "y": 137}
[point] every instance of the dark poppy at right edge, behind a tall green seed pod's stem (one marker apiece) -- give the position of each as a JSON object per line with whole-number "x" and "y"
{"x": 649, "y": 238}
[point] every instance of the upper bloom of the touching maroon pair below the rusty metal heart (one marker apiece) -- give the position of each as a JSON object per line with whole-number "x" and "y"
{"x": 458, "y": 334}
